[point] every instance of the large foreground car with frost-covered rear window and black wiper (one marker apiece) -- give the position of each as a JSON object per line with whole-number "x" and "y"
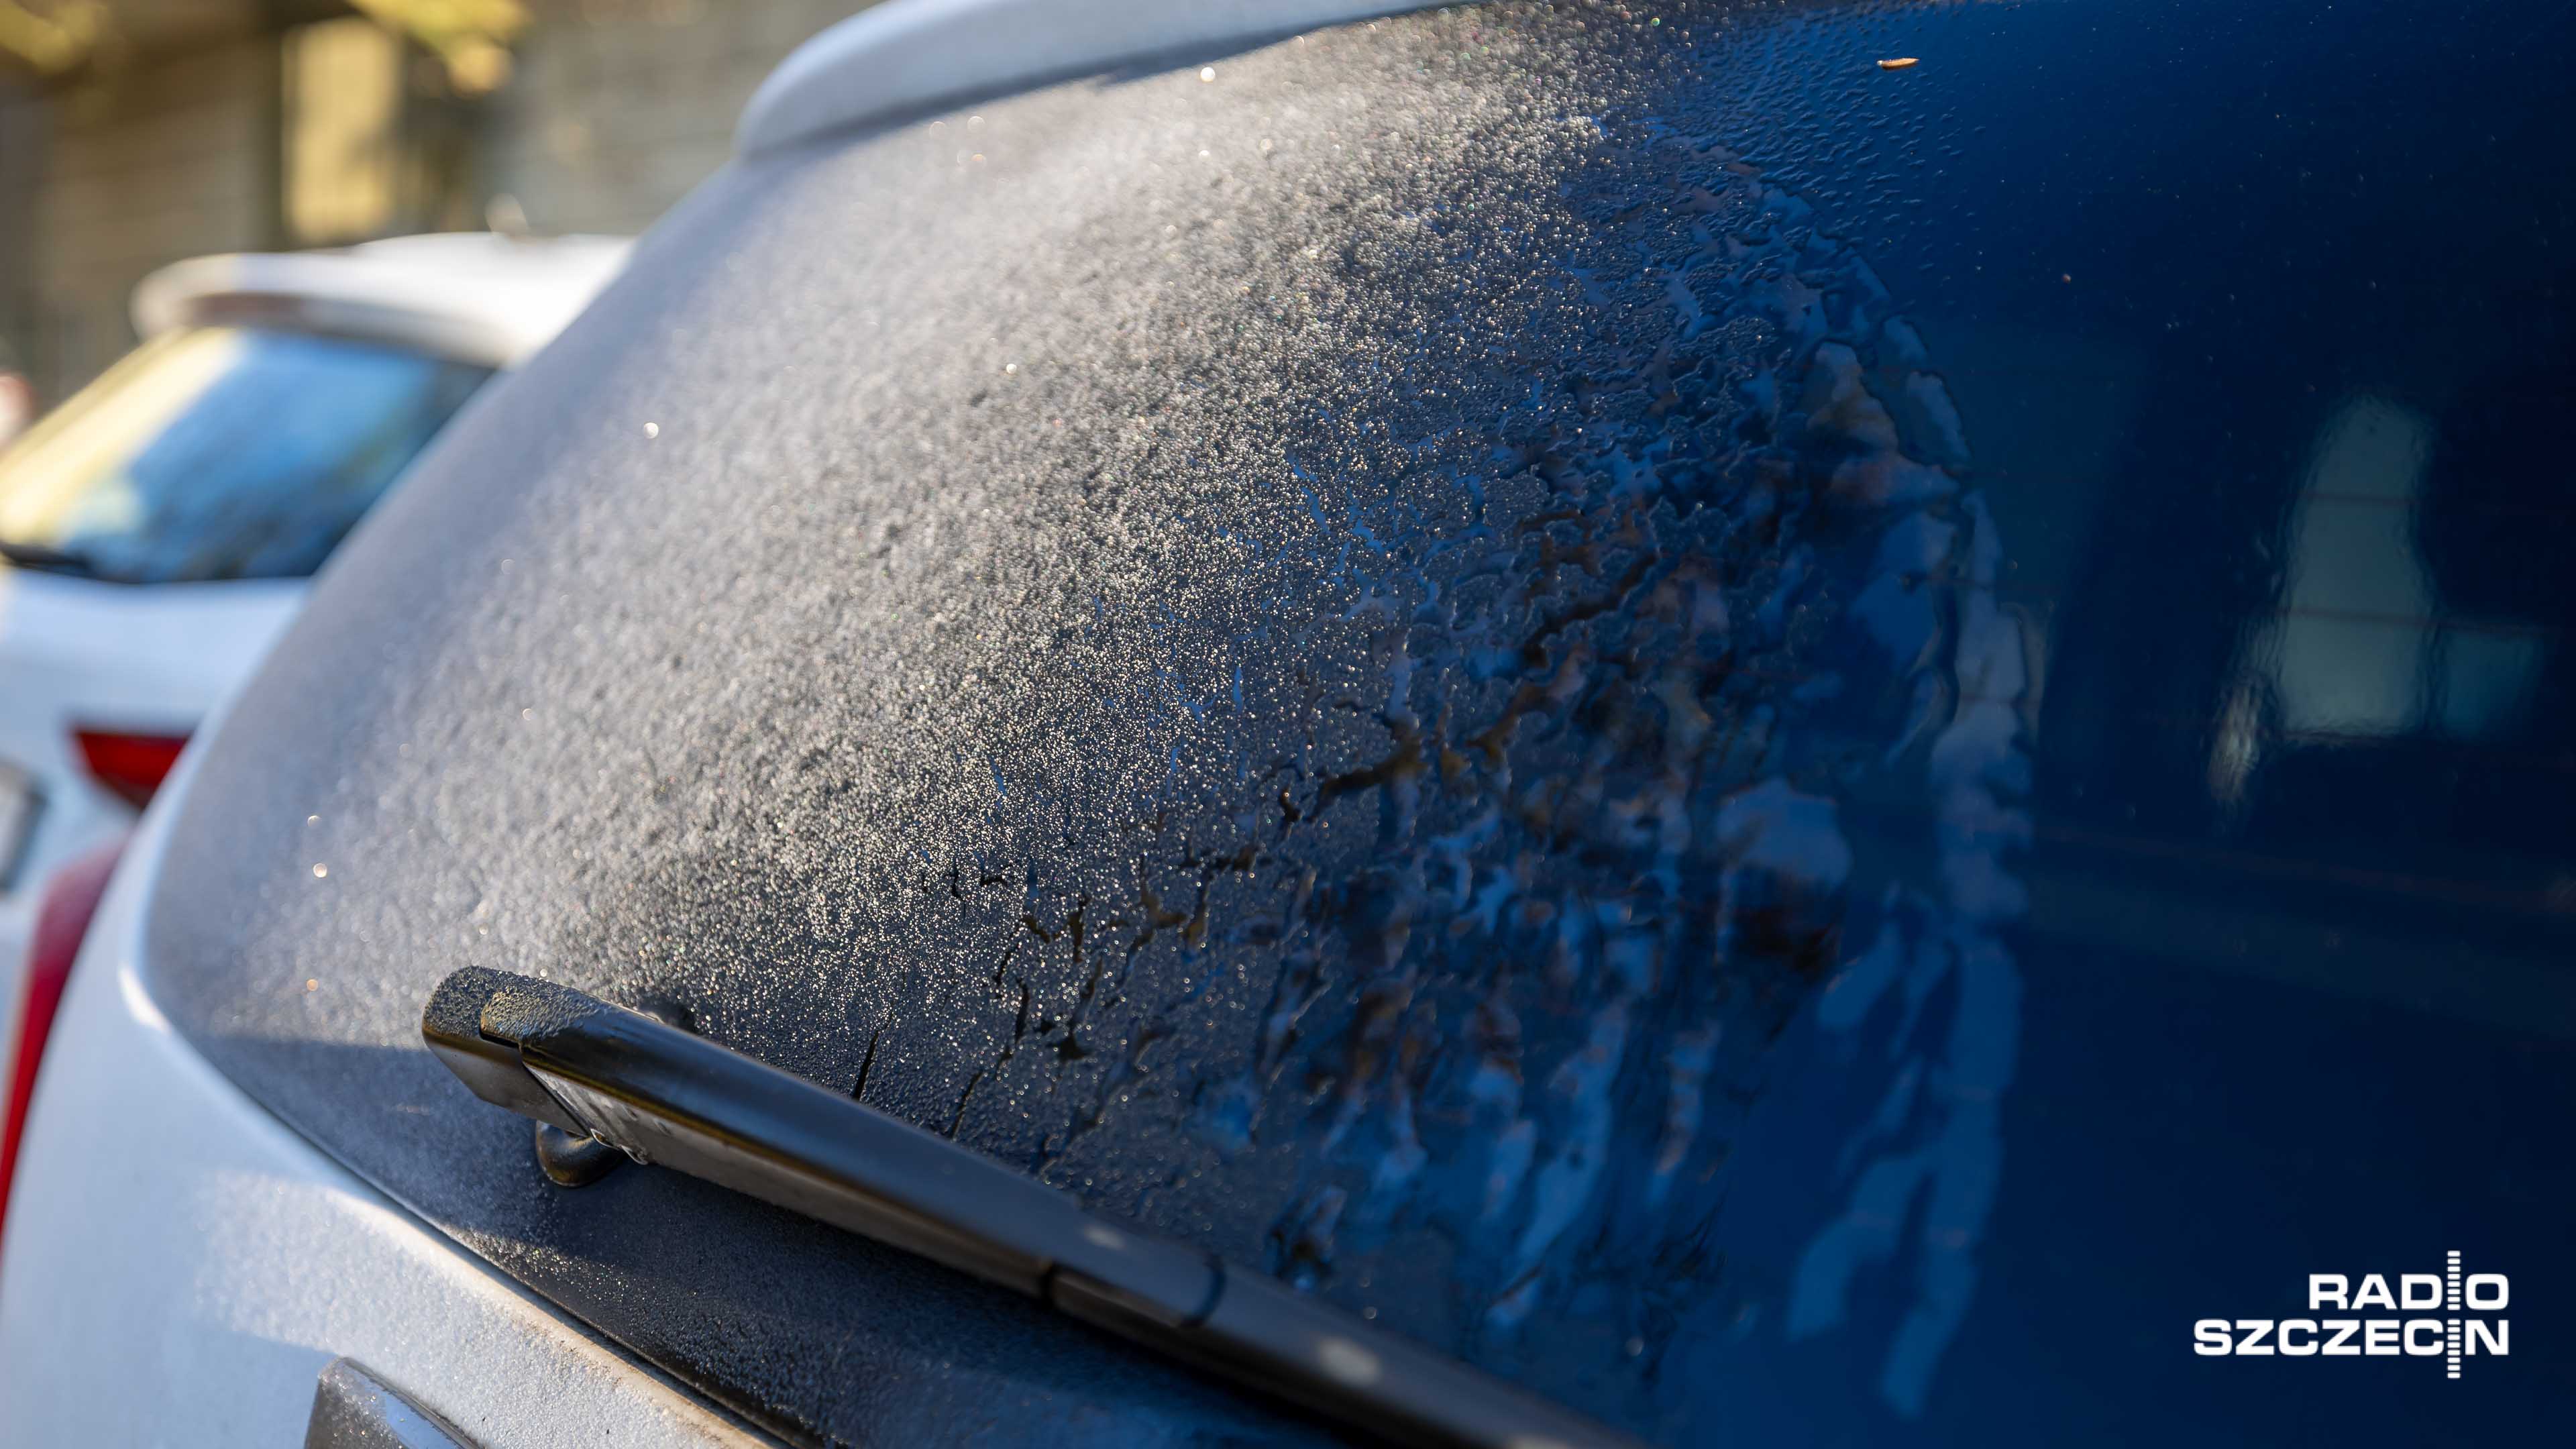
{"x": 1498, "y": 726}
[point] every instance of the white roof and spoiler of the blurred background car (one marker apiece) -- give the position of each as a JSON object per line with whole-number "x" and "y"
{"x": 468, "y": 295}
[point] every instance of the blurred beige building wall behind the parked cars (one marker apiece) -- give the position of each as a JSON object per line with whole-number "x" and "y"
{"x": 140, "y": 133}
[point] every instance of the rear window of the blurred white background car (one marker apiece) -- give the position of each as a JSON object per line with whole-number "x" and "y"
{"x": 223, "y": 452}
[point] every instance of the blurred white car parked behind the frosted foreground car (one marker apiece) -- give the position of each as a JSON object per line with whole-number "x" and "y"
{"x": 164, "y": 525}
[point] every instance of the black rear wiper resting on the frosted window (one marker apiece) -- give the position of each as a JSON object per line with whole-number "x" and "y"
{"x": 684, "y": 1102}
